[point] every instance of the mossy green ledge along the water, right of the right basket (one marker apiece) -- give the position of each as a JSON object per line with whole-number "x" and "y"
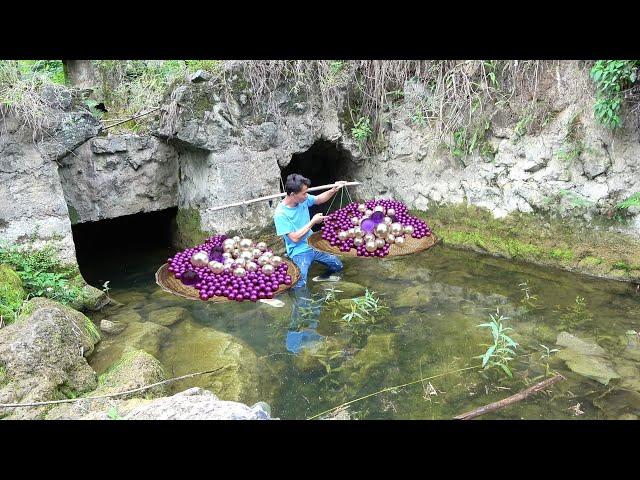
{"x": 539, "y": 238}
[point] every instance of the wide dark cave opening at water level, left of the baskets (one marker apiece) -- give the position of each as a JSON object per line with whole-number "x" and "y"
{"x": 126, "y": 250}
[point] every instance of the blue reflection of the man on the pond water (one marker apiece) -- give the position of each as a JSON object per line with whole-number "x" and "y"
{"x": 305, "y": 313}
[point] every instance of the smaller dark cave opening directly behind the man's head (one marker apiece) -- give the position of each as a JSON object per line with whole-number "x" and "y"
{"x": 324, "y": 163}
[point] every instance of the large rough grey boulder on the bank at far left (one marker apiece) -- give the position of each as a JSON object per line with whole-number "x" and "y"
{"x": 42, "y": 355}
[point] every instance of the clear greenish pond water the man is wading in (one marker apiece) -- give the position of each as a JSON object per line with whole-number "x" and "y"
{"x": 435, "y": 299}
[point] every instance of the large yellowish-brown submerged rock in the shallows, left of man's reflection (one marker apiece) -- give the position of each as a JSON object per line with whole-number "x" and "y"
{"x": 195, "y": 348}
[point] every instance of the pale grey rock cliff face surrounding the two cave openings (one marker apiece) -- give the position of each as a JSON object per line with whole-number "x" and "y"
{"x": 214, "y": 150}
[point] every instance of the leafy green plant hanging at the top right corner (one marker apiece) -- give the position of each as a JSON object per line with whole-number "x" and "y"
{"x": 613, "y": 79}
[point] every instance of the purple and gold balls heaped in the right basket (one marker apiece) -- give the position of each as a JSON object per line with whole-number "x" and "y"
{"x": 372, "y": 227}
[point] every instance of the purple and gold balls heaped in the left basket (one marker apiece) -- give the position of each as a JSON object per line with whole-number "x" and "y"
{"x": 236, "y": 268}
